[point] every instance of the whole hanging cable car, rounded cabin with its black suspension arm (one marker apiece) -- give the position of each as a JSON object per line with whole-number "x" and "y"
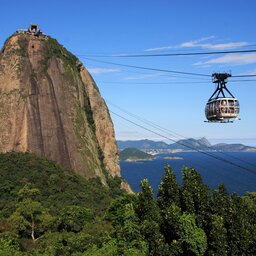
{"x": 222, "y": 107}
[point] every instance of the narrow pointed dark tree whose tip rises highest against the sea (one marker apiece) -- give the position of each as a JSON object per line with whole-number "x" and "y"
{"x": 168, "y": 190}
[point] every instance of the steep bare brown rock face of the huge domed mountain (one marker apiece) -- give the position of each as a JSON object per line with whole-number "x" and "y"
{"x": 50, "y": 106}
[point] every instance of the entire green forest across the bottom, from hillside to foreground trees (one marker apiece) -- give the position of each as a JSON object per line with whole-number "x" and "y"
{"x": 46, "y": 209}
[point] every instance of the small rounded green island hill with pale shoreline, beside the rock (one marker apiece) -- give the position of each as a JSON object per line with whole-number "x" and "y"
{"x": 134, "y": 154}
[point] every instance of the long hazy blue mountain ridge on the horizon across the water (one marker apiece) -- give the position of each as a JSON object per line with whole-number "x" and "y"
{"x": 184, "y": 145}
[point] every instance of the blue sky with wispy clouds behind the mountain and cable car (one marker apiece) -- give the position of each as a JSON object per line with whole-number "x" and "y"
{"x": 96, "y": 30}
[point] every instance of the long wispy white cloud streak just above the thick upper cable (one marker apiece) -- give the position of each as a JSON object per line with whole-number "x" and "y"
{"x": 198, "y": 44}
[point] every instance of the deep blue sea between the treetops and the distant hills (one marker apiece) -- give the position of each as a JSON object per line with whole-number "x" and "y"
{"x": 212, "y": 170}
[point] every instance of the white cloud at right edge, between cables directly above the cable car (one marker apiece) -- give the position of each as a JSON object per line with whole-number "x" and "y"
{"x": 231, "y": 59}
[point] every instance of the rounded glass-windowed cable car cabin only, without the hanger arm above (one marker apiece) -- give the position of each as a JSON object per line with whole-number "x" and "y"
{"x": 222, "y": 110}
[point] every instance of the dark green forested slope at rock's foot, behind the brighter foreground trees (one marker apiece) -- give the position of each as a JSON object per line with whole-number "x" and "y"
{"x": 58, "y": 186}
